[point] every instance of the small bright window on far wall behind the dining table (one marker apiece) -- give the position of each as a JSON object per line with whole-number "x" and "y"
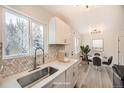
{"x": 98, "y": 45}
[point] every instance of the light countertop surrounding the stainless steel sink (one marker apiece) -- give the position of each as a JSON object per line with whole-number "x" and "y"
{"x": 11, "y": 81}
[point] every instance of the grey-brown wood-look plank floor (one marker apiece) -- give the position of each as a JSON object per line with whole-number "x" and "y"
{"x": 90, "y": 77}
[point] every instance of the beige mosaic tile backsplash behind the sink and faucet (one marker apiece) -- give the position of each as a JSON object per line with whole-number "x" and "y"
{"x": 17, "y": 65}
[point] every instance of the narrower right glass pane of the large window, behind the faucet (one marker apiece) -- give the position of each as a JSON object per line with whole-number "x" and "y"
{"x": 37, "y": 36}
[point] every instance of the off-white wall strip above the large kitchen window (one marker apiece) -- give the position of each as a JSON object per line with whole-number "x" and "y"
{"x": 34, "y": 11}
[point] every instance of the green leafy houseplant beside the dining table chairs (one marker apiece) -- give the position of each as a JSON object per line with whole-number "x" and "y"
{"x": 85, "y": 50}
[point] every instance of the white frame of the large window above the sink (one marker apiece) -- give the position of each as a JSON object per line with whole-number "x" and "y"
{"x": 30, "y": 19}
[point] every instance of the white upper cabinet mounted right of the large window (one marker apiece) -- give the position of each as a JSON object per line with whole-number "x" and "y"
{"x": 59, "y": 32}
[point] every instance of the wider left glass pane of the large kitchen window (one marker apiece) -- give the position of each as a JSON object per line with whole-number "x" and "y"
{"x": 16, "y": 36}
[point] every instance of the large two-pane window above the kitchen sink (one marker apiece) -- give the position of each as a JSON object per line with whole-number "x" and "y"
{"x": 22, "y": 35}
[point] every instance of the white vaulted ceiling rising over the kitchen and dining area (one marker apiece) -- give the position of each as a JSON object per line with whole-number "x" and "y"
{"x": 80, "y": 17}
